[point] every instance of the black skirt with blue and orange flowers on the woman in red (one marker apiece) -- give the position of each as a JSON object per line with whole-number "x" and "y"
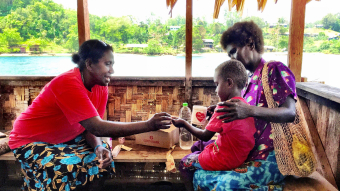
{"x": 63, "y": 166}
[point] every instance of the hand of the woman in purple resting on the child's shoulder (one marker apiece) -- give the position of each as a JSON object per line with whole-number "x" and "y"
{"x": 236, "y": 109}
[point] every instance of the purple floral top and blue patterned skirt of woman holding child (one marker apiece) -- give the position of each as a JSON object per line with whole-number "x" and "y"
{"x": 260, "y": 172}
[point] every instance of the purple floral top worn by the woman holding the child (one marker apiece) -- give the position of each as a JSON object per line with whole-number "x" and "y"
{"x": 282, "y": 81}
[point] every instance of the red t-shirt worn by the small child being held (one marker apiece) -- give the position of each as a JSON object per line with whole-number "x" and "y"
{"x": 233, "y": 144}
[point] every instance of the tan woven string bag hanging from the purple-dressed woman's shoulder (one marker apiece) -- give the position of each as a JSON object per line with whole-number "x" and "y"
{"x": 292, "y": 145}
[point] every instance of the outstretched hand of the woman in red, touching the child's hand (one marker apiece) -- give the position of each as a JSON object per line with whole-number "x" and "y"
{"x": 160, "y": 121}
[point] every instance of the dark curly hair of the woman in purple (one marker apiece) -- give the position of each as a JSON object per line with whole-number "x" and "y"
{"x": 241, "y": 33}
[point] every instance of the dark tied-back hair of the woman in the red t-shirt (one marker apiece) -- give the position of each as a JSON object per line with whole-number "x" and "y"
{"x": 90, "y": 49}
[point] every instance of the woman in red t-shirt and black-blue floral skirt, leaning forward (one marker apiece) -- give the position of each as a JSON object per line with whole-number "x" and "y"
{"x": 57, "y": 139}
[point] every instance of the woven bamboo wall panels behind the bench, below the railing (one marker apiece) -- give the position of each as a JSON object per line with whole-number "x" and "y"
{"x": 129, "y": 100}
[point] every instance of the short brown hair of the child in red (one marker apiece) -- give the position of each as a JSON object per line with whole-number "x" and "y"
{"x": 235, "y": 70}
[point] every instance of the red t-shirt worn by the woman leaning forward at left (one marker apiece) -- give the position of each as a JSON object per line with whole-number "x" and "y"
{"x": 54, "y": 115}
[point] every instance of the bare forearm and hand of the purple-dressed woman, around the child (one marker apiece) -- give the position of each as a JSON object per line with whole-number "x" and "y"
{"x": 239, "y": 110}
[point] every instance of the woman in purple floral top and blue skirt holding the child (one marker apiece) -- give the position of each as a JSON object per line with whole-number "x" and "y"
{"x": 244, "y": 42}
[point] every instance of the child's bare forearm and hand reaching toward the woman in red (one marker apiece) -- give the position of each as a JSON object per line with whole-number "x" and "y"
{"x": 204, "y": 135}
